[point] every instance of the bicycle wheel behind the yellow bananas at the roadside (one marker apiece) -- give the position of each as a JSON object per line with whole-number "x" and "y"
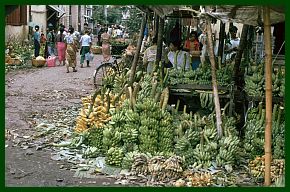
{"x": 103, "y": 73}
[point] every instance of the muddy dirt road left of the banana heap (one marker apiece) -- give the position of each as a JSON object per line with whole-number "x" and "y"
{"x": 29, "y": 92}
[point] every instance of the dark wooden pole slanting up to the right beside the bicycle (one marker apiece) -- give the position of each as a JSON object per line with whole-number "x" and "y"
{"x": 138, "y": 48}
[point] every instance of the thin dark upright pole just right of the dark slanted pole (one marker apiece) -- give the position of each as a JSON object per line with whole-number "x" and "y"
{"x": 159, "y": 45}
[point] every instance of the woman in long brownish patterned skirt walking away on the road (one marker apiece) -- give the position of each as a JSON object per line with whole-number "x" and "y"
{"x": 71, "y": 49}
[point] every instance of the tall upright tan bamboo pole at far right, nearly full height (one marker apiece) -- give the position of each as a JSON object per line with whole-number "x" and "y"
{"x": 268, "y": 73}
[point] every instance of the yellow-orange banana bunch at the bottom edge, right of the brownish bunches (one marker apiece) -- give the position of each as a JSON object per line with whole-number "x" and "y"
{"x": 198, "y": 179}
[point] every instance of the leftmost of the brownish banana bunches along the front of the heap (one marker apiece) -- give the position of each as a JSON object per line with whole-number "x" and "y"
{"x": 140, "y": 164}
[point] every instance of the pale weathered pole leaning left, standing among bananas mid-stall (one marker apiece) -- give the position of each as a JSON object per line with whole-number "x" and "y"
{"x": 214, "y": 83}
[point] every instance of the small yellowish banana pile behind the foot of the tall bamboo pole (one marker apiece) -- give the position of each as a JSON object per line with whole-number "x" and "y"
{"x": 257, "y": 168}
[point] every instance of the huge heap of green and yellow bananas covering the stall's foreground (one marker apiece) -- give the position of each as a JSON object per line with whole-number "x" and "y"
{"x": 135, "y": 129}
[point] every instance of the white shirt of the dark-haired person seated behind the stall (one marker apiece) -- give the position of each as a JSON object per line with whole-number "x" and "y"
{"x": 181, "y": 57}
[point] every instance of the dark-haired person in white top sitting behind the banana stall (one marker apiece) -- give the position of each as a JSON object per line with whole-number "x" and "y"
{"x": 178, "y": 58}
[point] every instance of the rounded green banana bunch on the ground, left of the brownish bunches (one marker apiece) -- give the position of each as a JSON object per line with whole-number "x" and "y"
{"x": 114, "y": 156}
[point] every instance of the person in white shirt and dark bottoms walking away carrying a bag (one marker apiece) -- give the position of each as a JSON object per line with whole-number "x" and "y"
{"x": 86, "y": 43}
